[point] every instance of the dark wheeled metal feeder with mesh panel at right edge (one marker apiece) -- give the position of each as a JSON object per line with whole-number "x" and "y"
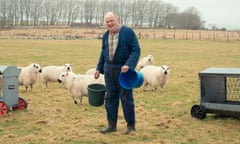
{"x": 220, "y": 92}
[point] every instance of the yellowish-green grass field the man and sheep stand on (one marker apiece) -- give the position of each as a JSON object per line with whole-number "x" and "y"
{"x": 162, "y": 117}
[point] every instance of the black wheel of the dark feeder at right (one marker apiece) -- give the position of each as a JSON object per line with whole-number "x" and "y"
{"x": 198, "y": 111}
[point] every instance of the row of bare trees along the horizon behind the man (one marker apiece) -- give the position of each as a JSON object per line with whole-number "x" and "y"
{"x": 136, "y": 13}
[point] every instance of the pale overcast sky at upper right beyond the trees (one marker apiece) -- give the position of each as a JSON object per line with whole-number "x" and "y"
{"x": 222, "y": 13}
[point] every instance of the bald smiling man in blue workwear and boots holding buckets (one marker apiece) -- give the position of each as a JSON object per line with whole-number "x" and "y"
{"x": 120, "y": 52}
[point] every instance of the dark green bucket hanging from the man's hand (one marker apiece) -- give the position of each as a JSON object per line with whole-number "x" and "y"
{"x": 96, "y": 94}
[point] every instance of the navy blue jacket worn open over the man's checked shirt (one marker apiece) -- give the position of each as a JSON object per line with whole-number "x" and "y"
{"x": 127, "y": 51}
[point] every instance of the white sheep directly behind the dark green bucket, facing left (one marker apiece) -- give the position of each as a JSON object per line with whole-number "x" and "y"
{"x": 77, "y": 84}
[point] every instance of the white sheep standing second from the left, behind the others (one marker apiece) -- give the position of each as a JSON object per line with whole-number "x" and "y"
{"x": 51, "y": 73}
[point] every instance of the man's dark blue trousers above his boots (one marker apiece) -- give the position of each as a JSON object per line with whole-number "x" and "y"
{"x": 115, "y": 93}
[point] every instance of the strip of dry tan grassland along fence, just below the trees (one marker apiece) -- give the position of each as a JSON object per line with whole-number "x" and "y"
{"x": 96, "y": 33}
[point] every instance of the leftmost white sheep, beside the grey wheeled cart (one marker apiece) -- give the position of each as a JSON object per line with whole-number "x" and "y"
{"x": 29, "y": 75}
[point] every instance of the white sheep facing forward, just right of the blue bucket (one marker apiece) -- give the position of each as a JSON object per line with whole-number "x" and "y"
{"x": 155, "y": 76}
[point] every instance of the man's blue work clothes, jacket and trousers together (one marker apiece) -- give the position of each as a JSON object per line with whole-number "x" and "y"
{"x": 127, "y": 53}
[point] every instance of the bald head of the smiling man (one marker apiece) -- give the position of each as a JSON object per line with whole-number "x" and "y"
{"x": 111, "y": 22}
